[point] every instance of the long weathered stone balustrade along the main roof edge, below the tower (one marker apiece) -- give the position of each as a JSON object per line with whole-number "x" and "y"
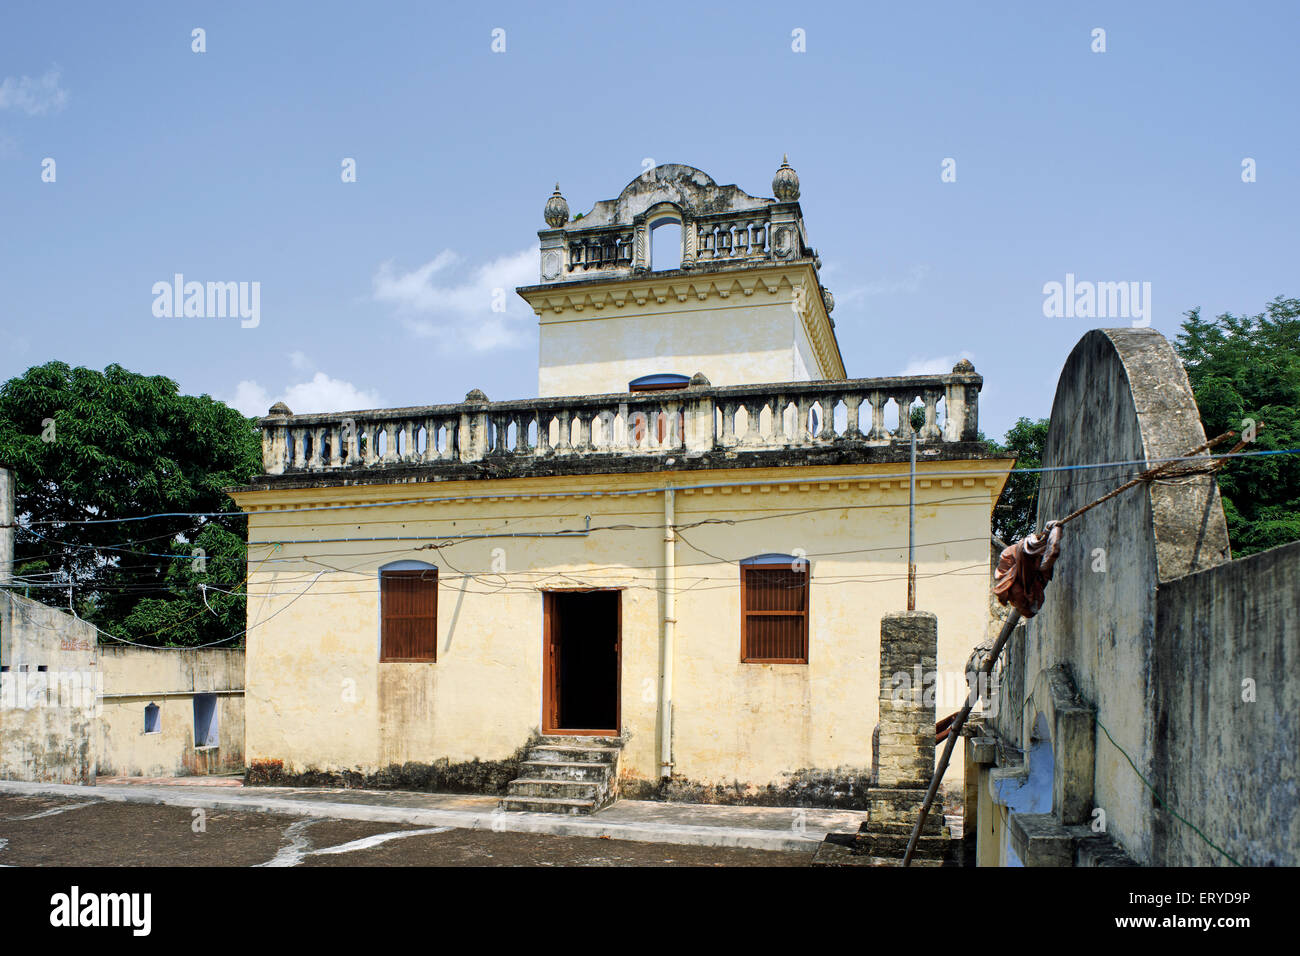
{"x": 695, "y": 419}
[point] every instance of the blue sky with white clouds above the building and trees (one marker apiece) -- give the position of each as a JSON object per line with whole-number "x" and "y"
{"x": 226, "y": 166}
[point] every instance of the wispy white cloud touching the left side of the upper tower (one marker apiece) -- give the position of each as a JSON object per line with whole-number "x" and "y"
{"x": 479, "y": 310}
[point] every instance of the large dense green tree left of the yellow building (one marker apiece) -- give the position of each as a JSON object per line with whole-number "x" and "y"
{"x": 97, "y": 456}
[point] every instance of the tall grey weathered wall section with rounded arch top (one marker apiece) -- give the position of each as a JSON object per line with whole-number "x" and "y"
{"x": 1123, "y": 397}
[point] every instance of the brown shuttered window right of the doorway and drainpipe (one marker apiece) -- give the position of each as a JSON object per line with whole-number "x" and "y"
{"x": 774, "y": 615}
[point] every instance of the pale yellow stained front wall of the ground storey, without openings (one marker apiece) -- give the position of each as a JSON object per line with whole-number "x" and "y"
{"x": 320, "y": 699}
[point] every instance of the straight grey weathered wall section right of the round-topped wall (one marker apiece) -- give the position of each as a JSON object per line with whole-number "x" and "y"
{"x": 1227, "y": 710}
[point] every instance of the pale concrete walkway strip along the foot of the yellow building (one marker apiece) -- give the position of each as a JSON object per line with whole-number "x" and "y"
{"x": 644, "y": 821}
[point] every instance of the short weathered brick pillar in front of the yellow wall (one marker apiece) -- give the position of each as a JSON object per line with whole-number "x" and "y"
{"x": 909, "y": 651}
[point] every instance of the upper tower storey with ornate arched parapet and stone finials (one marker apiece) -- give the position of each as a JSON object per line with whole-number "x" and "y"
{"x": 743, "y": 306}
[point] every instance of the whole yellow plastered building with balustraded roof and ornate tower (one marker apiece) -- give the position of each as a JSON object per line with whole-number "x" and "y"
{"x": 681, "y": 553}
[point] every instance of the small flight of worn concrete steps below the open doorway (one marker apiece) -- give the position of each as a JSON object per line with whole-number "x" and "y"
{"x": 566, "y": 775}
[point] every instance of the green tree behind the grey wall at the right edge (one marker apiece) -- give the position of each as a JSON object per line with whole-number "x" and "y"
{"x": 1249, "y": 369}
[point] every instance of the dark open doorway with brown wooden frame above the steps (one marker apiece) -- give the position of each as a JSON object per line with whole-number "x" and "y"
{"x": 583, "y": 646}
